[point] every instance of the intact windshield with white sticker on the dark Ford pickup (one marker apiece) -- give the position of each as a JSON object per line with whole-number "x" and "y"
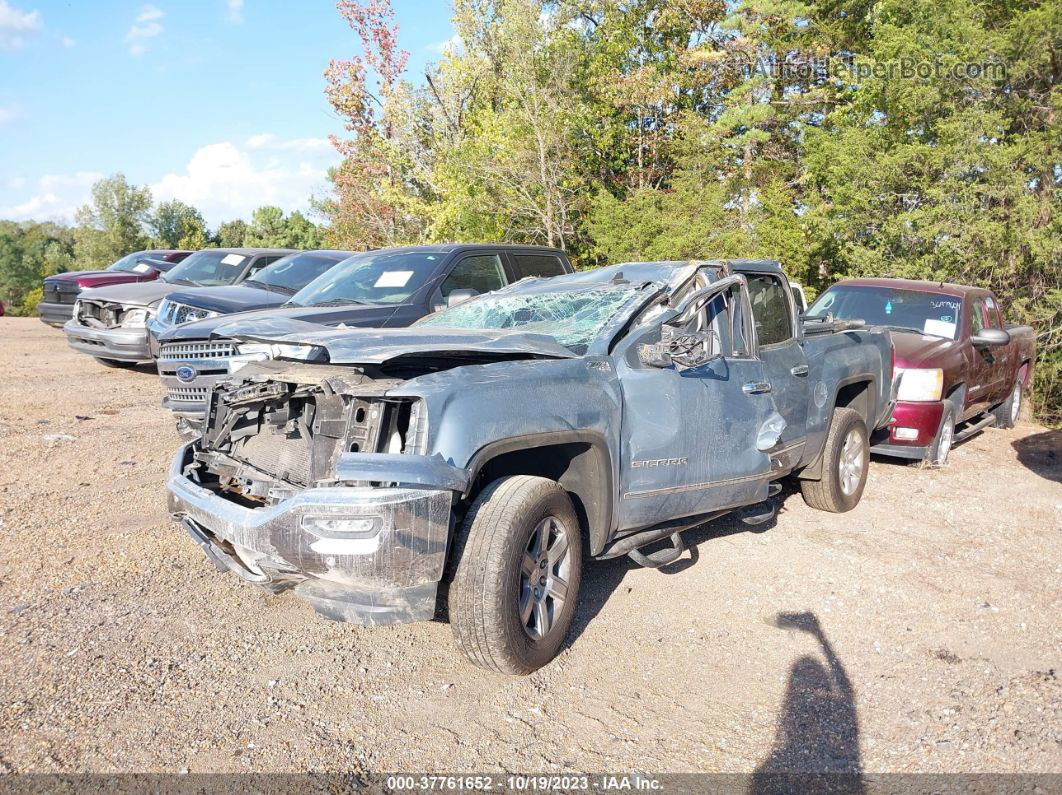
{"x": 374, "y": 278}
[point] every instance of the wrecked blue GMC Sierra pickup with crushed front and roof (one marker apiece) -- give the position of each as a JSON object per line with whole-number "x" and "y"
{"x": 493, "y": 445}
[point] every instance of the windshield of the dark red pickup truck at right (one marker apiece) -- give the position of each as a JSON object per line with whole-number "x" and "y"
{"x": 936, "y": 315}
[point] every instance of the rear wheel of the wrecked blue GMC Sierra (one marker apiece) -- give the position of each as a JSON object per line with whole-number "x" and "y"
{"x": 846, "y": 461}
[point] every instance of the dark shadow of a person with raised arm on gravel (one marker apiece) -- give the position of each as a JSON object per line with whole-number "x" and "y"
{"x": 817, "y": 739}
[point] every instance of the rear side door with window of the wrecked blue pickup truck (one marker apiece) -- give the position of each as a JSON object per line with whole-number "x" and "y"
{"x": 783, "y": 356}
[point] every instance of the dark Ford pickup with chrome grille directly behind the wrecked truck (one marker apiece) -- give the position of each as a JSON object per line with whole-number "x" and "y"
{"x": 384, "y": 289}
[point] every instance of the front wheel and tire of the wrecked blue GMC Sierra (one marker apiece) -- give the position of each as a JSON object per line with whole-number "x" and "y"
{"x": 502, "y": 619}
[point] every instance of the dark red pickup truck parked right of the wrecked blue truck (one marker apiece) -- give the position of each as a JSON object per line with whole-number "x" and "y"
{"x": 961, "y": 369}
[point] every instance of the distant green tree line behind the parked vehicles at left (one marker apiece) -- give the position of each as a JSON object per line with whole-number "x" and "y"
{"x": 119, "y": 219}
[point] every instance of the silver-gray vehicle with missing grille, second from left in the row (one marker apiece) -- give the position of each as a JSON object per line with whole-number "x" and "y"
{"x": 111, "y": 323}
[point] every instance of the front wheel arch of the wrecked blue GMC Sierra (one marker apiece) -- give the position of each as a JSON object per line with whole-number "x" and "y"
{"x": 579, "y": 461}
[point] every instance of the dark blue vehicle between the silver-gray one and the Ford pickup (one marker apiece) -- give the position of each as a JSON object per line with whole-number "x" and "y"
{"x": 270, "y": 287}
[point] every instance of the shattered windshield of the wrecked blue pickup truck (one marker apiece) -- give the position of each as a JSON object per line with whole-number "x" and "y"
{"x": 574, "y": 318}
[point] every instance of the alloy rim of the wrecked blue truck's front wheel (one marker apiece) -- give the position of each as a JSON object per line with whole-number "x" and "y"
{"x": 545, "y": 573}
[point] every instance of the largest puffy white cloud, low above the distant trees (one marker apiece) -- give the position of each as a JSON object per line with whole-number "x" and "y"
{"x": 226, "y": 181}
